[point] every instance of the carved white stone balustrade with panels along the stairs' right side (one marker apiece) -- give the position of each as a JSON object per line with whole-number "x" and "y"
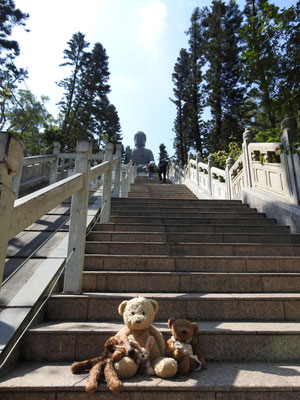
{"x": 271, "y": 168}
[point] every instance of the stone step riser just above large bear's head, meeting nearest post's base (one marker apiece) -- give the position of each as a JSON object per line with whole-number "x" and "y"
{"x": 190, "y": 282}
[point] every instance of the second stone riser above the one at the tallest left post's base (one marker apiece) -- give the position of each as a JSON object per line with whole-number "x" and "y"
{"x": 192, "y": 249}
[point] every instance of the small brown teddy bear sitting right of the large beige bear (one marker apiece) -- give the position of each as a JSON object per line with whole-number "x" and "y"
{"x": 183, "y": 347}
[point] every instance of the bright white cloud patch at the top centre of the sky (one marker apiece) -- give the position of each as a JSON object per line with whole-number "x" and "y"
{"x": 152, "y": 23}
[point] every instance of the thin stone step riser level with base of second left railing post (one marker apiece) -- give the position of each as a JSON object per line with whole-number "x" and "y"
{"x": 250, "y": 219}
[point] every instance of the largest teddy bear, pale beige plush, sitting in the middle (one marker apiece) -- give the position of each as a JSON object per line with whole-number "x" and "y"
{"x": 138, "y": 315}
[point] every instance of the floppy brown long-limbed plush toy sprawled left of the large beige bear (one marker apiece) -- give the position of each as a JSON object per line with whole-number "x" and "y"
{"x": 115, "y": 348}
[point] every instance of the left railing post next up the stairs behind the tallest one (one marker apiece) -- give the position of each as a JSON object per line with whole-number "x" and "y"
{"x": 107, "y": 180}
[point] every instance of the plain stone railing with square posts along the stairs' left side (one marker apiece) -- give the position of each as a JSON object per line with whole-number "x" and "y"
{"x": 16, "y": 215}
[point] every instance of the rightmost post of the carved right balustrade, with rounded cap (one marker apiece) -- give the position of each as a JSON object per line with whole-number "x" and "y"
{"x": 289, "y": 160}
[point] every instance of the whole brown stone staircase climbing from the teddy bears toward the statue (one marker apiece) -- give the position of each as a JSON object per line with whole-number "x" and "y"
{"x": 215, "y": 262}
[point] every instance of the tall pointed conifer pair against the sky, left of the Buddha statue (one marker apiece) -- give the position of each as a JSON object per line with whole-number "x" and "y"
{"x": 87, "y": 112}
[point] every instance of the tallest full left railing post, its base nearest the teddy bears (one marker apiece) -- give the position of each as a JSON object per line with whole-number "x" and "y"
{"x": 77, "y": 229}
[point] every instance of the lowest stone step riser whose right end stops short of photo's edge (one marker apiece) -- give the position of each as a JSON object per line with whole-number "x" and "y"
{"x": 140, "y": 227}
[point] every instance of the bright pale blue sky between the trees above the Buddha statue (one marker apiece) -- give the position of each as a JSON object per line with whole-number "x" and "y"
{"x": 142, "y": 39}
